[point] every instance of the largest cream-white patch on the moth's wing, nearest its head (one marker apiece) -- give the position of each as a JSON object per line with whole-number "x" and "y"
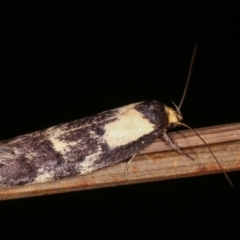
{"x": 129, "y": 126}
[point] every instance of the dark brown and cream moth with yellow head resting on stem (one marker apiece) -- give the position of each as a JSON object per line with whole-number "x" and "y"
{"x": 88, "y": 144}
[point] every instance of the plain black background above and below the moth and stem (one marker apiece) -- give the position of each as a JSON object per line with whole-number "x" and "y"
{"x": 61, "y": 62}
